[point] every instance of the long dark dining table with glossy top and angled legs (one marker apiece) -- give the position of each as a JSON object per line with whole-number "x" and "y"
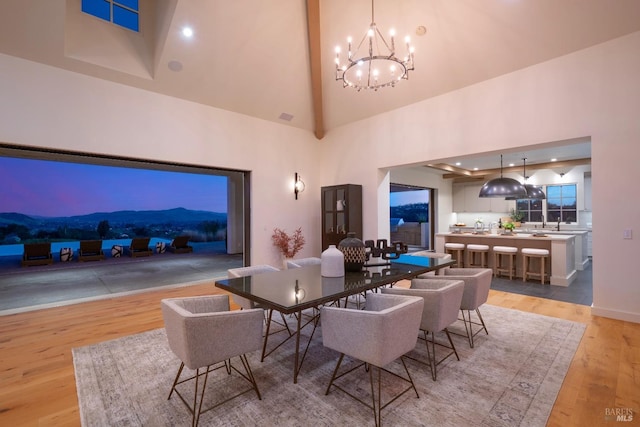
{"x": 295, "y": 290}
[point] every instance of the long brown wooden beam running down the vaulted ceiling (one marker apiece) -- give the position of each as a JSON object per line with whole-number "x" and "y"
{"x": 315, "y": 55}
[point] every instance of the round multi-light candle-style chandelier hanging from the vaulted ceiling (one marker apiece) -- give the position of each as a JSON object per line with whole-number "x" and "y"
{"x": 378, "y": 65}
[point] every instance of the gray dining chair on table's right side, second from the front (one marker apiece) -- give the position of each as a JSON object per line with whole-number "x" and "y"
{"x": 442, "y": 300}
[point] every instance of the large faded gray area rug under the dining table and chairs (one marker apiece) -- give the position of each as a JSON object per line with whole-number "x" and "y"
{"x": 510, "y": 378}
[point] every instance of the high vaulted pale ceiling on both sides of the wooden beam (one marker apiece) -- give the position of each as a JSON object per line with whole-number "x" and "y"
{"x": 252, "y": 56}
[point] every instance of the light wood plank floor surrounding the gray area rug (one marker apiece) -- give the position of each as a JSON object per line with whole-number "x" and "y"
{"x": 37, "y": 385}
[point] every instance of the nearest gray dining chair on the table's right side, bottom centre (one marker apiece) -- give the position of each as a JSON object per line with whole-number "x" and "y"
{"x": 384, "y": 331}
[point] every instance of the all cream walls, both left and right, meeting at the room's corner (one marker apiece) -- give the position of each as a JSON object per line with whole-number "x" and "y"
{"x": 592, "y": 93}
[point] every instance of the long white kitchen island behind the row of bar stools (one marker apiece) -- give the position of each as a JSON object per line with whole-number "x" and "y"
{"x": 561, "y": 249}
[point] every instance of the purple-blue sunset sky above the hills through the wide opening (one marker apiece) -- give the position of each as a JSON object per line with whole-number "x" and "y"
{"x": 51, "y": 189}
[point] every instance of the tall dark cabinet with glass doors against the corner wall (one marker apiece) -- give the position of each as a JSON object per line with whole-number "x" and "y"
{"x": 341, "y": 213}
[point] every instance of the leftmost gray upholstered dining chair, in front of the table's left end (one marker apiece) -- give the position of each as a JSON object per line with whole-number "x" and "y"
{"x": 205, "y": 336}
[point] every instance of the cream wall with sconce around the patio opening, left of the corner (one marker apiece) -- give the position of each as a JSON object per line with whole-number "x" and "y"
{"x": 42, "y": 106}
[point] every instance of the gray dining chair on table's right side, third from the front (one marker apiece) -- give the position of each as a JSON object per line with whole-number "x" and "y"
{"x": 477, "y": 283}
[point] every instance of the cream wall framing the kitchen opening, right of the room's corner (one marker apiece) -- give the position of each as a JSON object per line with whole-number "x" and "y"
{"x": 591, "y": 93}
